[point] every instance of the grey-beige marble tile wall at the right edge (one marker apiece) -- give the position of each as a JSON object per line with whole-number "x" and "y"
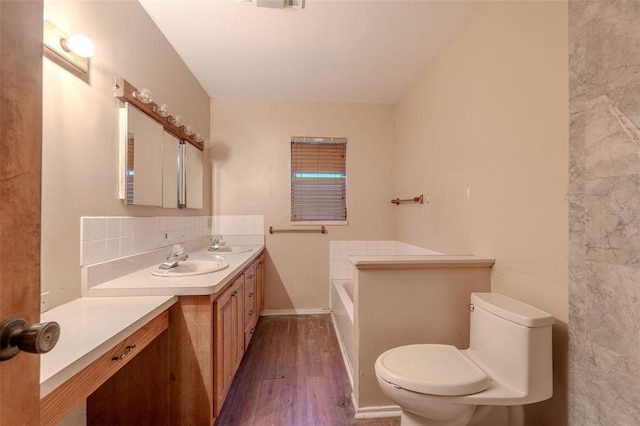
{"x": 604, "y": 225}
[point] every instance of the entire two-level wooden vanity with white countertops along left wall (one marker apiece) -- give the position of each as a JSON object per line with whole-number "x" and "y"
{"x": 181, "y": 373}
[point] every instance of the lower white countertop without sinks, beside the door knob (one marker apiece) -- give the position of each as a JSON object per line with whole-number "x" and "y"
{"x": 89, "y": 327}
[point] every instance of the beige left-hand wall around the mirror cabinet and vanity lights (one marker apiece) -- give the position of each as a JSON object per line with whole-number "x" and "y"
{"x": 80, "y": 120}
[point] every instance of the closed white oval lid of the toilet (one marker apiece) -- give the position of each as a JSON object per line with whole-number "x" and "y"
{"x": 431, "y": 369}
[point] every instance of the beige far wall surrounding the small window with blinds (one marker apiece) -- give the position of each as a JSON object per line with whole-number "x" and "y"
{"x": 251, "y": 151}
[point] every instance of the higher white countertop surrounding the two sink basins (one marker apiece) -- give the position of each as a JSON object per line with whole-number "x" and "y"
{"x": 142, "y": 283}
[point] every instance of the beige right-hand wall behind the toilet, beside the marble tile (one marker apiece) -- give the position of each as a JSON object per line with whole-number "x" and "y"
{"x": 484, "y": 132}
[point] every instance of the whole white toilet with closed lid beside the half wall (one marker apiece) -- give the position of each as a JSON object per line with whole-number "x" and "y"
{"x": 508, "y": 364}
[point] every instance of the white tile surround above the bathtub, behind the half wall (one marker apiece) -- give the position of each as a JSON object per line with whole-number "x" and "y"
{"x": 340, "y": 267}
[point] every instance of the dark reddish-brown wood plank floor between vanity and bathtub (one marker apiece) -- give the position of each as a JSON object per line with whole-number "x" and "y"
{"x": 293, "y": 375}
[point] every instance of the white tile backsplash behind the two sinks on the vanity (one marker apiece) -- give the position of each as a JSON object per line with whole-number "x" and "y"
{"x": 105, "y": 238}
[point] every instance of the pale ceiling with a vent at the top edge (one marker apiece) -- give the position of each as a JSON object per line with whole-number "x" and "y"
{"x": 331, "y": 50}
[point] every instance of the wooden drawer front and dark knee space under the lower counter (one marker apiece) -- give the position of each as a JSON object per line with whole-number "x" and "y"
{"x": 114, "y": 382}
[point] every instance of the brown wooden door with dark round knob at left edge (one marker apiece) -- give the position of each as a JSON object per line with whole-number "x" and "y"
{"x": 20, "y": 174}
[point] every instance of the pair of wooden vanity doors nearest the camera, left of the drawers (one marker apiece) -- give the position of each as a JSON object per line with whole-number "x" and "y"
{"x": 228, "y": 339}
